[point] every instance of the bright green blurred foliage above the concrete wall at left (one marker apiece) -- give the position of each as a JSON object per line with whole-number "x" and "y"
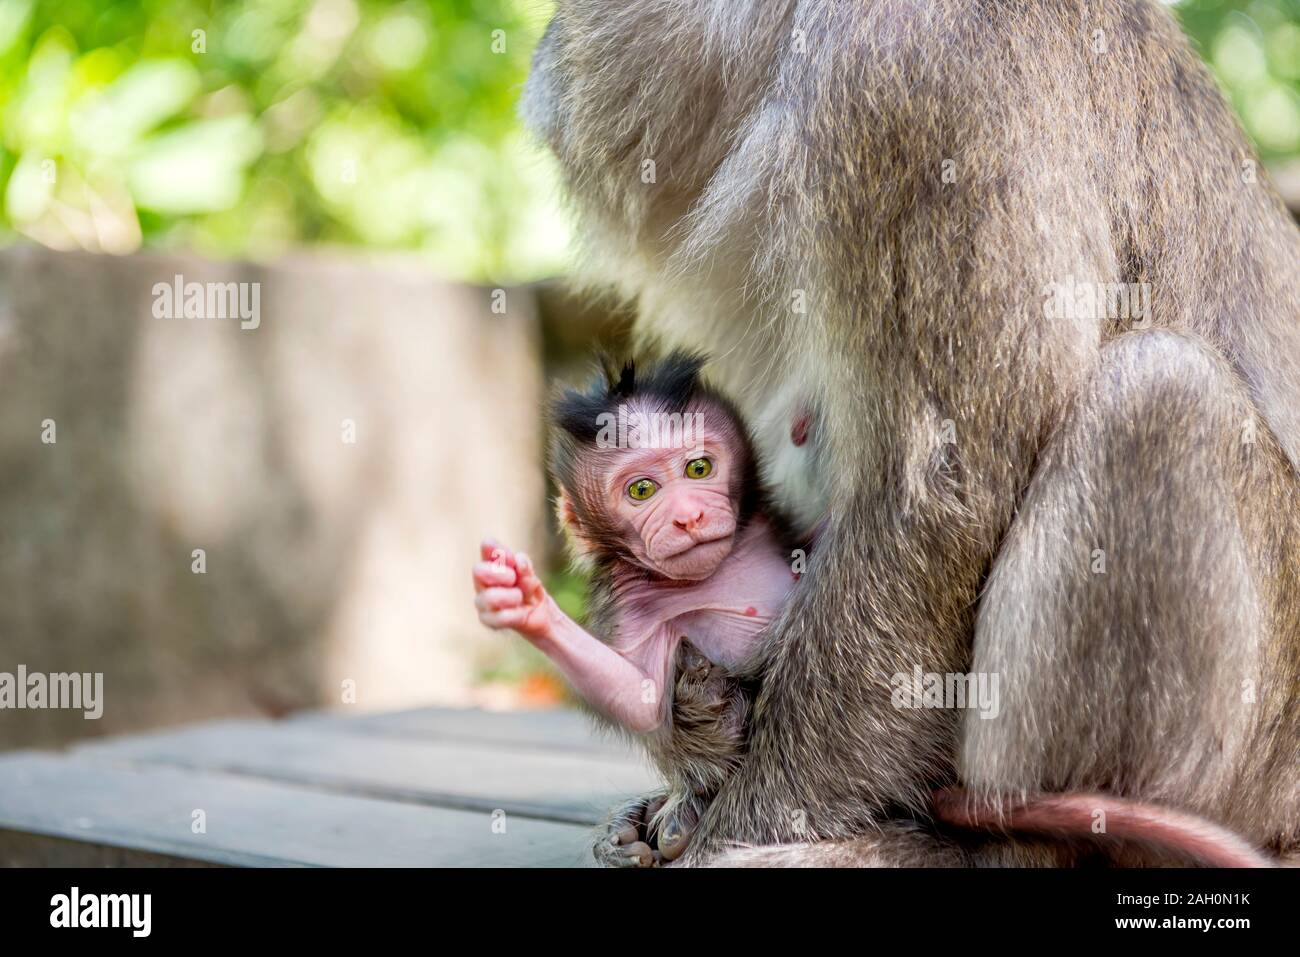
{"x": 249, "y": 127}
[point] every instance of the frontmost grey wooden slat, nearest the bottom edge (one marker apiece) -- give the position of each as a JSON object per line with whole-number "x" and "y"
{"x": 257, "y": 822}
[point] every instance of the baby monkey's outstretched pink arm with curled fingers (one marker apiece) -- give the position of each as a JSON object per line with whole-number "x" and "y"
{"x": 512, "y": 596}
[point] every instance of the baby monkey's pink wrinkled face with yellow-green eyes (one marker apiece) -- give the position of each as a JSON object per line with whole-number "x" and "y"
{"x": 677, "y": 506}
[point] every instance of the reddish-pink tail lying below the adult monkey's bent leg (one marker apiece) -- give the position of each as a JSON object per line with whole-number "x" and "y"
{"x": 1076, "y": 816}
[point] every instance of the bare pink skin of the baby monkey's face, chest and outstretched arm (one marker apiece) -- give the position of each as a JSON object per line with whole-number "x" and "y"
{"x": 708, "y": 583}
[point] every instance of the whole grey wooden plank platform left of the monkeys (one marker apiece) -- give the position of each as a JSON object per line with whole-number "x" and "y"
{"x": 410, "y": 790}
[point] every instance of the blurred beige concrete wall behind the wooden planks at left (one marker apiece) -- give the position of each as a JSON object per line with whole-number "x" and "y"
{"x": 327, "y": 561}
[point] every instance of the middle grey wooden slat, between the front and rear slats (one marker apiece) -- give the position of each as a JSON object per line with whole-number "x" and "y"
{"x": 562, "y": 786}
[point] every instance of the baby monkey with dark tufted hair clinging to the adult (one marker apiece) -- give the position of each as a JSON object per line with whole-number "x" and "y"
{"x": 661, "y": 500}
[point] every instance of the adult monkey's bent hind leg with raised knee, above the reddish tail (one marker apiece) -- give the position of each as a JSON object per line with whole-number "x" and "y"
{"x": 1139, "y": 617}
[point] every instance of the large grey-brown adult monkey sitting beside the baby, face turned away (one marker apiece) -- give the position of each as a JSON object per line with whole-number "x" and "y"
{"x": 859, "y": 209}
